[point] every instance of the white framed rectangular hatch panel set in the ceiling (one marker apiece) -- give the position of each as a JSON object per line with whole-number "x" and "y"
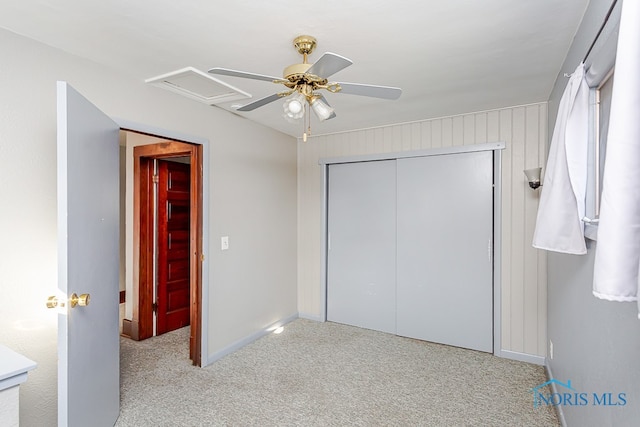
{"x": 195, "y": 84}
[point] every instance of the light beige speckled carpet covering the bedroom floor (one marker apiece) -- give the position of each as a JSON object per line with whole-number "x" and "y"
{"x": 326, "y": 374}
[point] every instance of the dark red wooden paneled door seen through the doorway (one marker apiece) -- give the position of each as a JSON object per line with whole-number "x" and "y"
{"x": 173, "y": 246}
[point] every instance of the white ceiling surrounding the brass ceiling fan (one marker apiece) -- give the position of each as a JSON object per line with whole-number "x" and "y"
{"x": 448, "y": 56}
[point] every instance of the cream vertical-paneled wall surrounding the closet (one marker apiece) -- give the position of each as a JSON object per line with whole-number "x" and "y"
{"x": 523, "y": 129}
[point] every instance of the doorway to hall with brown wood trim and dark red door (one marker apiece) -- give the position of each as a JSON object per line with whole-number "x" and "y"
{"x": 145, "y": 299}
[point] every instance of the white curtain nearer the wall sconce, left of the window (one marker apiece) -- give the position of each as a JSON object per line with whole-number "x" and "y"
{"x": 559, "y": 225}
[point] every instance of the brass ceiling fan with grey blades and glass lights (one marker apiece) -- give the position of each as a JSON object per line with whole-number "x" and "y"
{"x": 303, "y": 81}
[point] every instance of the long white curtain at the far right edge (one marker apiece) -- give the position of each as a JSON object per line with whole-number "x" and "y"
{"x": 617, "y": 264}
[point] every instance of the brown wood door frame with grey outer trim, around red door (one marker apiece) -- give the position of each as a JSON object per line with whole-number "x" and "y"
{"x": 198, "y": 149}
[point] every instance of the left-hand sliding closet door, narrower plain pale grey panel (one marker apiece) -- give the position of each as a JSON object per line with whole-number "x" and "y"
{"x": 361, "y": 267}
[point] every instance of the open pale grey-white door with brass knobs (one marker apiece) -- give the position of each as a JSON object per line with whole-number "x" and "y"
{"x": 88, "y": 260}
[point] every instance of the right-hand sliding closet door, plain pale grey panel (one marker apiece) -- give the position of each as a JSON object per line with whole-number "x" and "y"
{"x": 445, "y": 230}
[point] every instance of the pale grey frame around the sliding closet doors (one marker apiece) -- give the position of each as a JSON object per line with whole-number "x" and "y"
{"x": 497, "y": 148}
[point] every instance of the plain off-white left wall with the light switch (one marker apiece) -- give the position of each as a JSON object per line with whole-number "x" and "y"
{"x": 252, "y": 200}
